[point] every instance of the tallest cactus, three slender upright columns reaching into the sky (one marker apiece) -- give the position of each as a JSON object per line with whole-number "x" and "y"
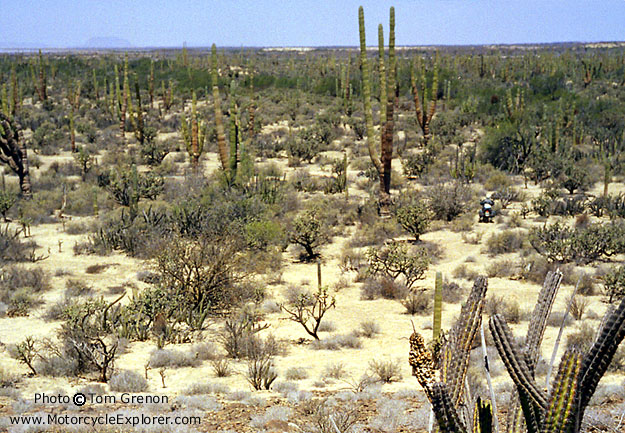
{"x": 388, "y": 98}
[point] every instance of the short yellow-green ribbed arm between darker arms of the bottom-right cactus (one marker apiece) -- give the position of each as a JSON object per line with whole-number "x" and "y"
{"x": 560, "y": 412}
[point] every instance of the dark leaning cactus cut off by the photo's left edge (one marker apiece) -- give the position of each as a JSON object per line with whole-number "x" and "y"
{"x": 13, "y": 152}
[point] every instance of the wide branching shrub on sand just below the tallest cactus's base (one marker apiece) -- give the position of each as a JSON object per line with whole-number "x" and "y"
{"x": 395, "y": 260}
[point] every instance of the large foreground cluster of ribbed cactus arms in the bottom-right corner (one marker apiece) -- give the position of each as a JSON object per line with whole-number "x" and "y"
{"x": 559, "y": 410}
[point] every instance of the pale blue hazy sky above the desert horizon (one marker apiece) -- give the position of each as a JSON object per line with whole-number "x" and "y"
{"x": 68, "y": 23}
